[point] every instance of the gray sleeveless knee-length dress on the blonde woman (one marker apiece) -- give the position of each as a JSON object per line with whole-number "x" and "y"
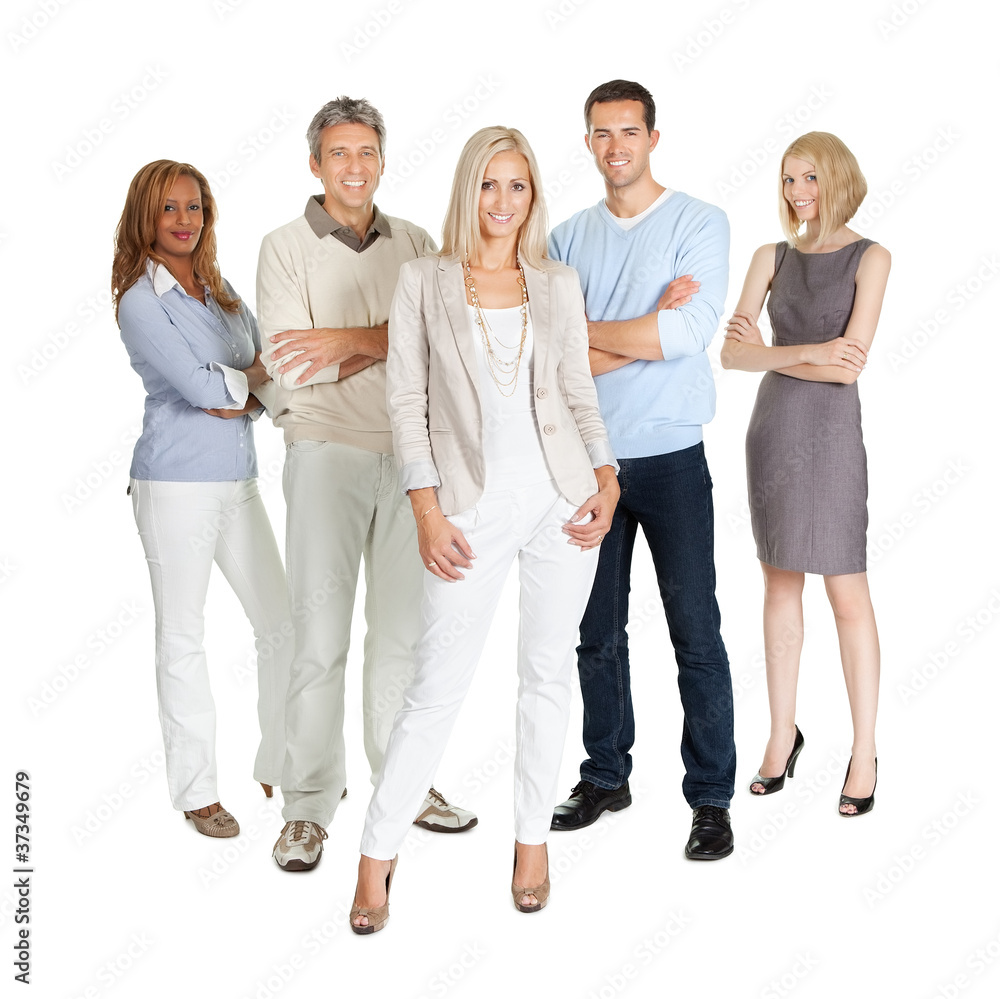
{"x": 806, "y": 468}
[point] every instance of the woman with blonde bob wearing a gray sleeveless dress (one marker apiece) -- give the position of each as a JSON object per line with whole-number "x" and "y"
{"x": 806, "y": 466}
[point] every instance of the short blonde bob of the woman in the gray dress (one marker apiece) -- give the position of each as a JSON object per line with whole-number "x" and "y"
{"x": 842, "y": 186}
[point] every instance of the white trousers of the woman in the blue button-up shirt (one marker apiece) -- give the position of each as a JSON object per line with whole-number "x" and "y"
{"x": 185, "y": 527}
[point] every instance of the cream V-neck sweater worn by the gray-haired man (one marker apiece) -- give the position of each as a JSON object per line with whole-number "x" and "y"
{"x": 307, "y": 282}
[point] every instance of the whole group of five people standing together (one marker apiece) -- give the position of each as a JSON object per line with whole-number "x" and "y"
{"x": 535, "y": 396}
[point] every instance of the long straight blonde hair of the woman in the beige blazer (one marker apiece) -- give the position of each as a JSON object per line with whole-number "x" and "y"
{"x": 461, "y": 236}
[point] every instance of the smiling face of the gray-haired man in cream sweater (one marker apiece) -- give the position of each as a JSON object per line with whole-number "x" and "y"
{"x": 350, "y": 166}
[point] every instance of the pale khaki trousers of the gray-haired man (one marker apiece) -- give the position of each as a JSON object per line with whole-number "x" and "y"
{"x": 344, "y": 504}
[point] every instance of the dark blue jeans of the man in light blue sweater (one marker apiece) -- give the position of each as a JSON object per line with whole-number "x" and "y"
{"x": 670, "y": 497}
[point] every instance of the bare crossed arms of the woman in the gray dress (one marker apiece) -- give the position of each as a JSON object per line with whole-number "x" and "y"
{"x": 841, "y": 359}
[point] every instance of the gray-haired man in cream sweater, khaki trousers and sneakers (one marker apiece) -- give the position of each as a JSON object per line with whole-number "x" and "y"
{"x": 324, "y": 285}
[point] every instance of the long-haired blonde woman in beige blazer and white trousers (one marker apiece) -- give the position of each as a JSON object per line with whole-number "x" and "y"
{"x": 504, "y": 456}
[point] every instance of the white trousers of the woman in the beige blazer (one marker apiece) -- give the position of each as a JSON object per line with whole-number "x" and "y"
{"x": 555, "y": 579}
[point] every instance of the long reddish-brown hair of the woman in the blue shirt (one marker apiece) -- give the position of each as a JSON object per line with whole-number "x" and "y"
{"x": 136, "y": 232}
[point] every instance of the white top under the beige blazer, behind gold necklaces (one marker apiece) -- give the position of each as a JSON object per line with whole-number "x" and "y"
{"x": 511, "y": 444}
